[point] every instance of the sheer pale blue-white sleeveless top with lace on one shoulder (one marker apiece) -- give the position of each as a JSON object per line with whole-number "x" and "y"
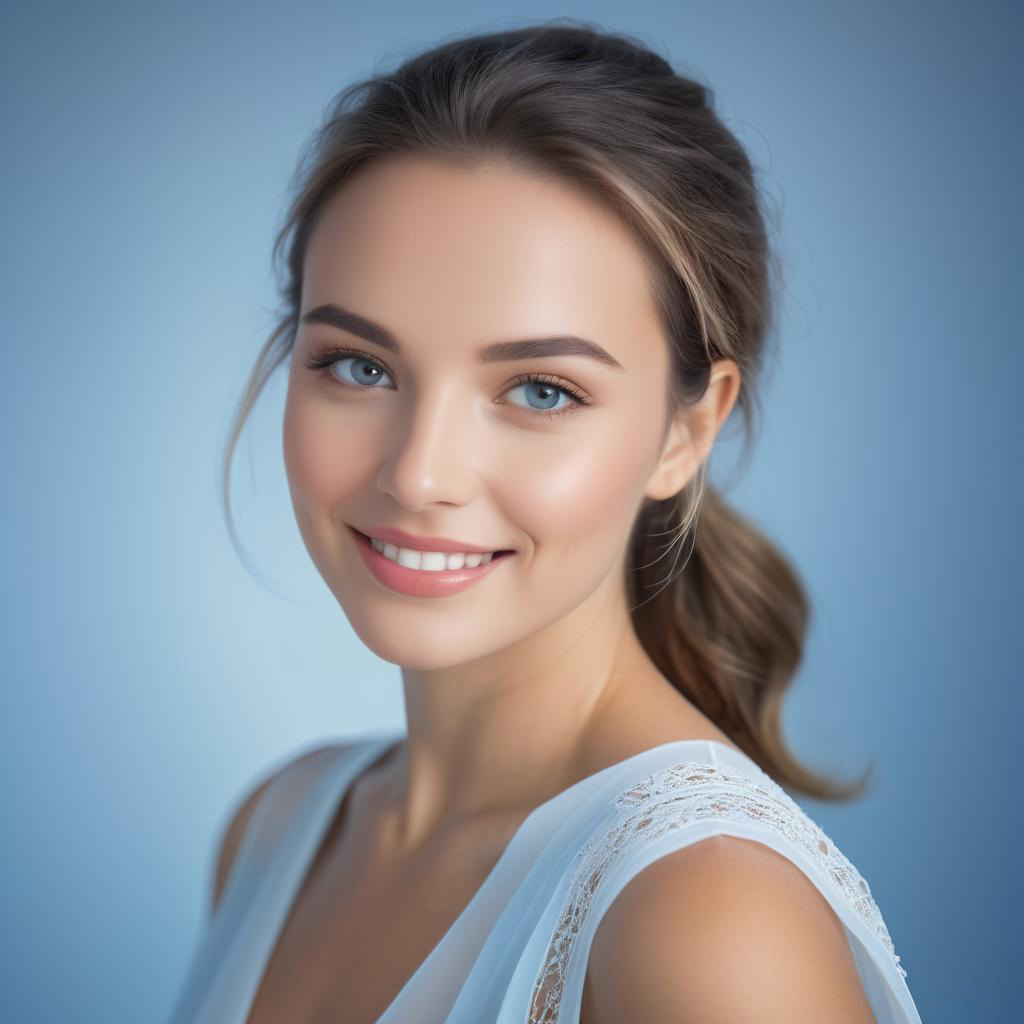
{"x": 518, "y": 954}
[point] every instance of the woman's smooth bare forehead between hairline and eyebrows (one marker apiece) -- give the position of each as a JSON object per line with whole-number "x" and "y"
{"x": 432, "y": 248}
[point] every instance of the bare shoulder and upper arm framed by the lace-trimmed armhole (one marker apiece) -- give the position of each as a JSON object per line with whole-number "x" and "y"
{"x": 724, "y": 930}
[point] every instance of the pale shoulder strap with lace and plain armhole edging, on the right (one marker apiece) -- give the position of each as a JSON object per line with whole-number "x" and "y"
{"x": 672, "y": 808}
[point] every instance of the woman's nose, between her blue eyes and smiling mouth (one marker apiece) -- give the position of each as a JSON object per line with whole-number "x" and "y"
{"x": 429, "y": 453}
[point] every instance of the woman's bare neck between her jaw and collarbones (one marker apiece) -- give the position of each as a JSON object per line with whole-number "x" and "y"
{"x": 507, "y": 733}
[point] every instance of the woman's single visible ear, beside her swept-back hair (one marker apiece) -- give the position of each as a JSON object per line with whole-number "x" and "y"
{"x": 693, "y": 433}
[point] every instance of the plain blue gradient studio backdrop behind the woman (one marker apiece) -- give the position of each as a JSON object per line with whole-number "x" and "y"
{"x": 149, "y": 678}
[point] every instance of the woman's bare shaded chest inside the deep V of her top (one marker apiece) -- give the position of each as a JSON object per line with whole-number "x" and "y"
{"x": 359, "y": 929}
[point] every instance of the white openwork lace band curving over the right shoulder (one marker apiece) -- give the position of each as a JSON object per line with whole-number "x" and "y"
{"x": 669, "y": 800}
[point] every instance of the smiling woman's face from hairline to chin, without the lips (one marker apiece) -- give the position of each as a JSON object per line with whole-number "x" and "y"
{"x": 425, "y": 436}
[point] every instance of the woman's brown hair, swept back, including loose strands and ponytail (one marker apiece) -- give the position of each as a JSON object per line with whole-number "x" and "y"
{"x": 606, "y": 114}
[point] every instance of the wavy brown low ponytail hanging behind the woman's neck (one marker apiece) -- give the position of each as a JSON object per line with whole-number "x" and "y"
{"x": 727, "y": 628}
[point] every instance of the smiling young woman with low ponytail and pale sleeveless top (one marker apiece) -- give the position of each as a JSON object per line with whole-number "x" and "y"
{"x": 528, "y": 282}
